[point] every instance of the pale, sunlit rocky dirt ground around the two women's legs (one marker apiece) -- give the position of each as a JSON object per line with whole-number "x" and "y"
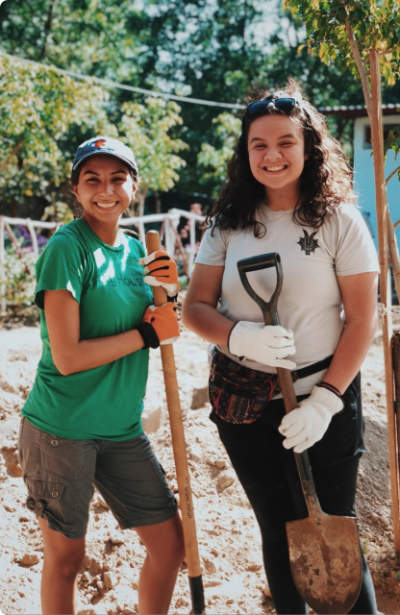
{"x": 229, "y": 542}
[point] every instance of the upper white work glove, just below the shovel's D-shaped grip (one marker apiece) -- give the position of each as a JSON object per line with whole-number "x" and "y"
{"x": 266, "y": 344}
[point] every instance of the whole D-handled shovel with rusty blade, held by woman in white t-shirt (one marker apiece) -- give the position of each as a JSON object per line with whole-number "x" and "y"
{"x": 324, "y": 551}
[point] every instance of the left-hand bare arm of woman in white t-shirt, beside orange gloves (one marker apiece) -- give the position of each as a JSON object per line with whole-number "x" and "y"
{"x": 200, "y": 307}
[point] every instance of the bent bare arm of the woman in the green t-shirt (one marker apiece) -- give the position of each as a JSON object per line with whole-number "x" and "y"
{"x": 70, "y": 354}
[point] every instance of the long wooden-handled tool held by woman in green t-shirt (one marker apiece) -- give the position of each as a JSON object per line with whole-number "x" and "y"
{"x": 179, "y": 447}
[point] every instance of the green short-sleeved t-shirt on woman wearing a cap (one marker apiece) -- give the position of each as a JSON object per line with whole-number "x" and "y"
{"x": 105, "y": 402}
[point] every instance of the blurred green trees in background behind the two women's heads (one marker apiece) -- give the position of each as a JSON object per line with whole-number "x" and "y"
{"x": 219, "y": 50}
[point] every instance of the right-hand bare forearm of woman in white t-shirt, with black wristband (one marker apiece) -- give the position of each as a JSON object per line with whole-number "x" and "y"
{"x": 359, "y": 295}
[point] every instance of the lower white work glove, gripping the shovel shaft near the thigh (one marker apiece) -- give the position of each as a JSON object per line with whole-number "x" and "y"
{"x": 305, "y": 425}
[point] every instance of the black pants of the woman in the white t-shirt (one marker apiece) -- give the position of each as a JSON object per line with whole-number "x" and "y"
{"x": 269, "y": 477}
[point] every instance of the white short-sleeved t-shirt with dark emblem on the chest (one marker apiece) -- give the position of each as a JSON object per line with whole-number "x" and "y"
{"x": 309, "y": 303}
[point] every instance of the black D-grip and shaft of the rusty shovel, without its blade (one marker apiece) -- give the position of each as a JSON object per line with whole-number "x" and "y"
{"x": 269, "y": 311}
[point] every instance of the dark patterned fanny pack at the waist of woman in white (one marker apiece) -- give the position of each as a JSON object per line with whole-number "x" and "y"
{"x": 239, "y": 394}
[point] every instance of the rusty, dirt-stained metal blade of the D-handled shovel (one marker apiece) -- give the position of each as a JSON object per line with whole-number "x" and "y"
{"x": 325, "y": 561}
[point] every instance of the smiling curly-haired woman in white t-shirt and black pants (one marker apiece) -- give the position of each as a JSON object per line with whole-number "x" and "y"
{"x": 288, "y": 191}
